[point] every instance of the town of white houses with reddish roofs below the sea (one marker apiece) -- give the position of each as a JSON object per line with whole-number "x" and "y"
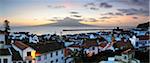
{"x": 116, "y": 46}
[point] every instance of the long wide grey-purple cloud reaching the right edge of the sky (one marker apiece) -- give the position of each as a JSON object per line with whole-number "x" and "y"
{"x": 133, "y": 11}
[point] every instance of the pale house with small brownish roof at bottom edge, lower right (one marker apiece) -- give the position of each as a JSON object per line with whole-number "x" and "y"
{"x": 126, "y": 57}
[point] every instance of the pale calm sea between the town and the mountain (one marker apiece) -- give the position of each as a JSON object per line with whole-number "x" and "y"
{"x": 57, "y": 29}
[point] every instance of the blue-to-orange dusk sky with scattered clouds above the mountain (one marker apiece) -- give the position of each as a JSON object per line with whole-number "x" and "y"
{"x": 91, "y": 12}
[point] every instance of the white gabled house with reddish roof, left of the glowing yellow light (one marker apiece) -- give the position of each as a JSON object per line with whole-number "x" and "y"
{"x": 27, "y": 53}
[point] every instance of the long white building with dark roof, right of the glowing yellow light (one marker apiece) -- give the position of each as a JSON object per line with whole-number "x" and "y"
{"x": 52, "y": 52}
